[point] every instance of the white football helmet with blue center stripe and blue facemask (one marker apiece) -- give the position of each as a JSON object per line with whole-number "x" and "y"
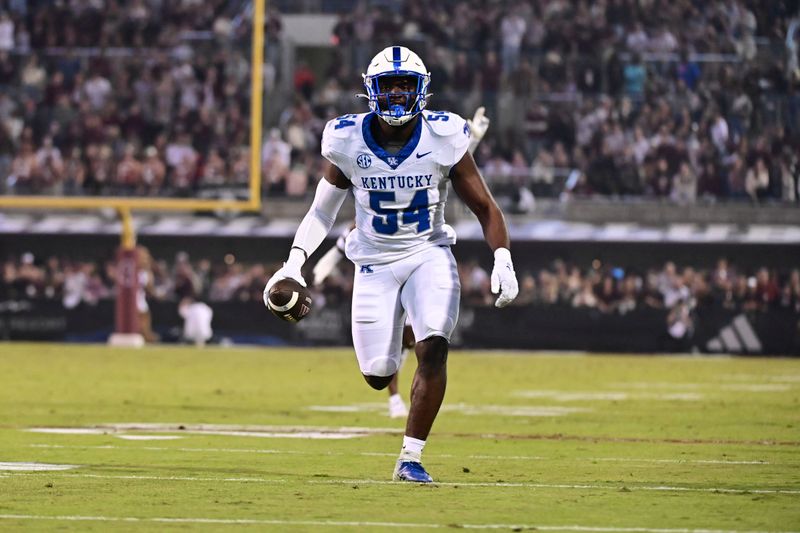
{"x": 392, "y": 62}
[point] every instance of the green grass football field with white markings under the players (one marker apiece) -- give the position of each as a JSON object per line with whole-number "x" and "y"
{"x": 95, "y": 439}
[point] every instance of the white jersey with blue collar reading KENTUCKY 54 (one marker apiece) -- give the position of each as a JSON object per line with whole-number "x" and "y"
{"x": 399, "y": 198}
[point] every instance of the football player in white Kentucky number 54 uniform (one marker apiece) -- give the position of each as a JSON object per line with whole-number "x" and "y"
{"x": 398, "y": 159}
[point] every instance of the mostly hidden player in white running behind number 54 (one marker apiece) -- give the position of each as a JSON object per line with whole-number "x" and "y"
{"x": 478, "y": 125}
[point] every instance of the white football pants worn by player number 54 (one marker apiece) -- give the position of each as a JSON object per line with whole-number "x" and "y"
{"x": 425, "y": 286}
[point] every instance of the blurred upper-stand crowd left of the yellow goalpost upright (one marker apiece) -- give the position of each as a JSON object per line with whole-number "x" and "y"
{"x": 125, "y": 98}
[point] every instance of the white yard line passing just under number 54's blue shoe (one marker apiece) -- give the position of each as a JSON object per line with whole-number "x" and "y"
{"x": 557, "y": 486}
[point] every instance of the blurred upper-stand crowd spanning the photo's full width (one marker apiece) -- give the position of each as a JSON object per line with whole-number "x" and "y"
{"x": 677, "y": 100}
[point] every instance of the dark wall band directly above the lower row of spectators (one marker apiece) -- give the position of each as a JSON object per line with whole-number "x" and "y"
{"x": 527, "y": 254}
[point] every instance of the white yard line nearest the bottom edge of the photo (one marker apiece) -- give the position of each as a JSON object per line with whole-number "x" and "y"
{"x": 345, "y": 523}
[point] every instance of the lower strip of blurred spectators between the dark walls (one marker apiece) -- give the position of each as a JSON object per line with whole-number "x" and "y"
{"x": 604, "y": 287}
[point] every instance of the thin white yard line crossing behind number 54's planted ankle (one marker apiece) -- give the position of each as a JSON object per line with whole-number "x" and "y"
{"x": 383, "y": 454}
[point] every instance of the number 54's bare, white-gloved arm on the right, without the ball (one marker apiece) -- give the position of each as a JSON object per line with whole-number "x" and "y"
{"x": 471, "y": 188}
